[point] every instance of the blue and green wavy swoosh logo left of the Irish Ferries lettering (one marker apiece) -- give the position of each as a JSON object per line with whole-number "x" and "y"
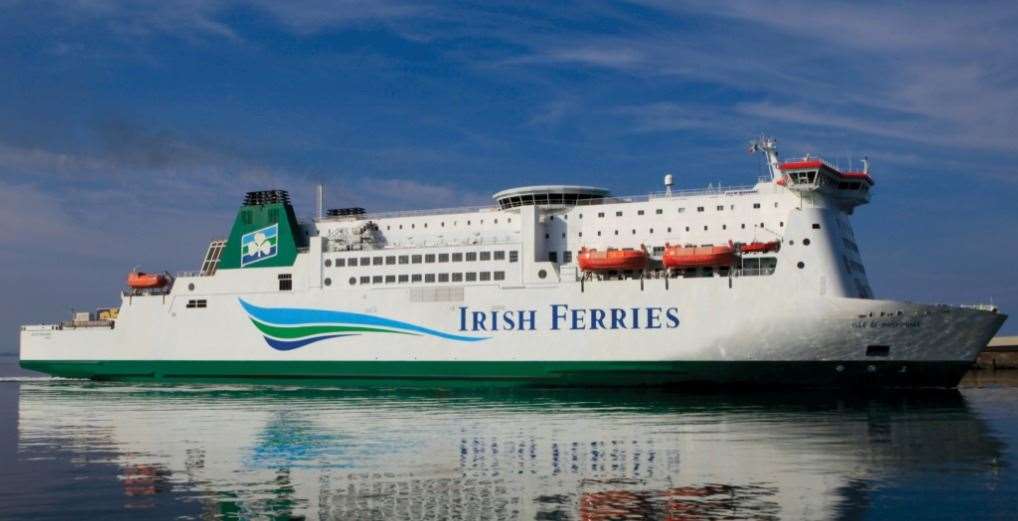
{"x": 290, "y": 328}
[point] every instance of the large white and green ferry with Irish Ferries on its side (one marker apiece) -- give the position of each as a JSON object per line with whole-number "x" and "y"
{"x": 550, "y": 285}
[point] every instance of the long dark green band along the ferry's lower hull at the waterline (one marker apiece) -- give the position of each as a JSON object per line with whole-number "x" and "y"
{"x": 884, "y": 373}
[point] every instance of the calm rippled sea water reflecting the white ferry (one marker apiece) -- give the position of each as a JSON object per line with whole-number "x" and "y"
{"x": 80, "y": 450}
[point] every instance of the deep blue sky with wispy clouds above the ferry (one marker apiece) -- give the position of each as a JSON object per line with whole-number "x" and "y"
{"x": 131, "y": 131}
